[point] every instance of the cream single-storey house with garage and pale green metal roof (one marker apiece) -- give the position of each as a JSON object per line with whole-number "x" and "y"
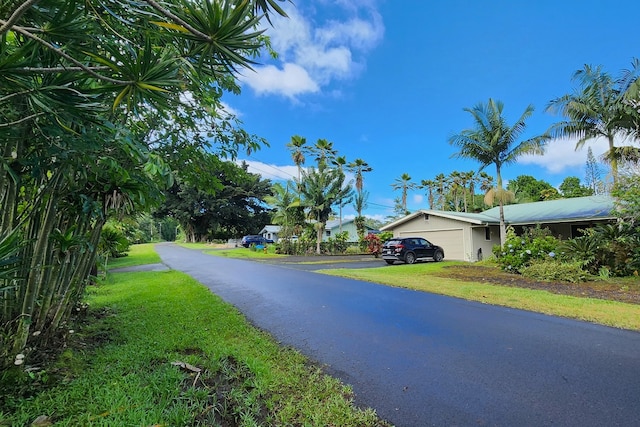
{"x": 470, "y": 236}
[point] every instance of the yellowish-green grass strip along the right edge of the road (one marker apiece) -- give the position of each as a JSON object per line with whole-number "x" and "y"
{"x": 421, "y": 277}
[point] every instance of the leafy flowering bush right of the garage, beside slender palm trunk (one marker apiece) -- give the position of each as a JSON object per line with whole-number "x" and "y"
{"x": 520, "y": 251}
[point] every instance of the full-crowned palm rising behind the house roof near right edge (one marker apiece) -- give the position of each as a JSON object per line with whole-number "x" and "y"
{"x": 594, "y": 111}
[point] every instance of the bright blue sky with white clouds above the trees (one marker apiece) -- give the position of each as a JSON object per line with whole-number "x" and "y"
{"x": 387, "y": 81}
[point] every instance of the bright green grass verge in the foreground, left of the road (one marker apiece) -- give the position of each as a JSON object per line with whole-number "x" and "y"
{"x": 118, "y": 368}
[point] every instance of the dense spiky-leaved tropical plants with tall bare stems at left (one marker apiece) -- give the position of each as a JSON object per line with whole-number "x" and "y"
{"x": 98, "y": 104}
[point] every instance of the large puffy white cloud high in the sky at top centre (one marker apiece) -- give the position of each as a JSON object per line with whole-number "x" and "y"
{"x": 316, "y": 48}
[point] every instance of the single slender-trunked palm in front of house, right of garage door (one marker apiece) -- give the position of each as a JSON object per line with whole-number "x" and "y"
{"x": 493, "y": 141}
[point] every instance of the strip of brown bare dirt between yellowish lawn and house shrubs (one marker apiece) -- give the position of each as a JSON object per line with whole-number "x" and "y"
{"x": 623, "y": 290}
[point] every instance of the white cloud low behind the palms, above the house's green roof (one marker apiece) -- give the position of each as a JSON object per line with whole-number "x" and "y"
{"x": 561, "y": 155}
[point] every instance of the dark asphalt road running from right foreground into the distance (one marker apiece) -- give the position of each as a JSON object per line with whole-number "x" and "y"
{"x": 420, "y": 359}
